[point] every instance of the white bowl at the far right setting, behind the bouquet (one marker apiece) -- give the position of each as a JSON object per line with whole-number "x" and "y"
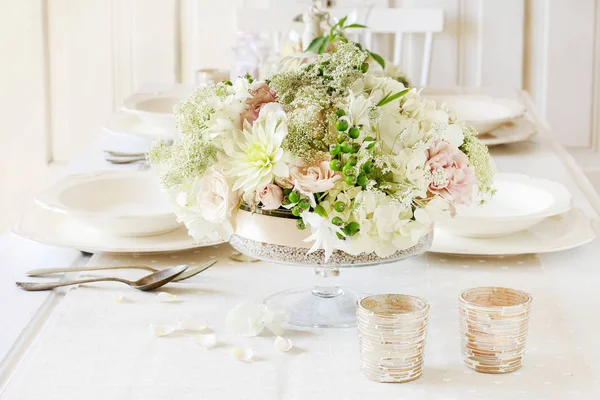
{"x": 484, "y": 113}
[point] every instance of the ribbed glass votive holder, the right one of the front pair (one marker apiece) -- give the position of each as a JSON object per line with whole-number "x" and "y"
{"x": 493, "y": 325}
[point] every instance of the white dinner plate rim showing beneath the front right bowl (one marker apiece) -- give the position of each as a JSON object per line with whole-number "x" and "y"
{"x": 562, "y": 232}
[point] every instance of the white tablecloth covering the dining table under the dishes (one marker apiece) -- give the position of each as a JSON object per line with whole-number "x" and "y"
{"x": 96, "y": 348}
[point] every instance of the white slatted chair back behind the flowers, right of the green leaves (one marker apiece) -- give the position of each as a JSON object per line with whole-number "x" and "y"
{"x": 399, "y": 21}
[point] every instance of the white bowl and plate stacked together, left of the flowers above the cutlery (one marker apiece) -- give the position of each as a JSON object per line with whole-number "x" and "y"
{"x": 107, "y": 211}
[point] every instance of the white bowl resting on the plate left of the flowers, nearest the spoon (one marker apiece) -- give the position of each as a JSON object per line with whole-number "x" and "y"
{"x": 120, "y": 203}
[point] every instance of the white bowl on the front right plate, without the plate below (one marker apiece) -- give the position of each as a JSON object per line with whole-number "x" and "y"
{"x": 519, "y": 203}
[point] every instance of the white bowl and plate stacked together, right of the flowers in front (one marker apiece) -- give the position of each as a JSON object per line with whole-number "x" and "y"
{"x": 526, "y": 215}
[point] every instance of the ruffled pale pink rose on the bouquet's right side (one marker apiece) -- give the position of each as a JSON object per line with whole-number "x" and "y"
{"x": 453, "y": 179}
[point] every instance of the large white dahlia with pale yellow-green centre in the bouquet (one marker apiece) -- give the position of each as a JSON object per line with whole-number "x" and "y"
{"x": 256, "y": 156}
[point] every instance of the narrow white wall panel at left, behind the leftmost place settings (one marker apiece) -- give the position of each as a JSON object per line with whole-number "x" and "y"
{"x": 81, "y": 68}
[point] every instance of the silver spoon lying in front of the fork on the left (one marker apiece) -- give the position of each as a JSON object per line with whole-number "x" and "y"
{"x": 149, "y": 282}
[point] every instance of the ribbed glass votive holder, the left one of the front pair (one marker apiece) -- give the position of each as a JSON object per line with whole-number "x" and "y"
{"x": 391, "y": 332}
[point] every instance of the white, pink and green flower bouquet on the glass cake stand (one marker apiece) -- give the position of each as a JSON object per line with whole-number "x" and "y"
{"x": 365, "y": 164}
